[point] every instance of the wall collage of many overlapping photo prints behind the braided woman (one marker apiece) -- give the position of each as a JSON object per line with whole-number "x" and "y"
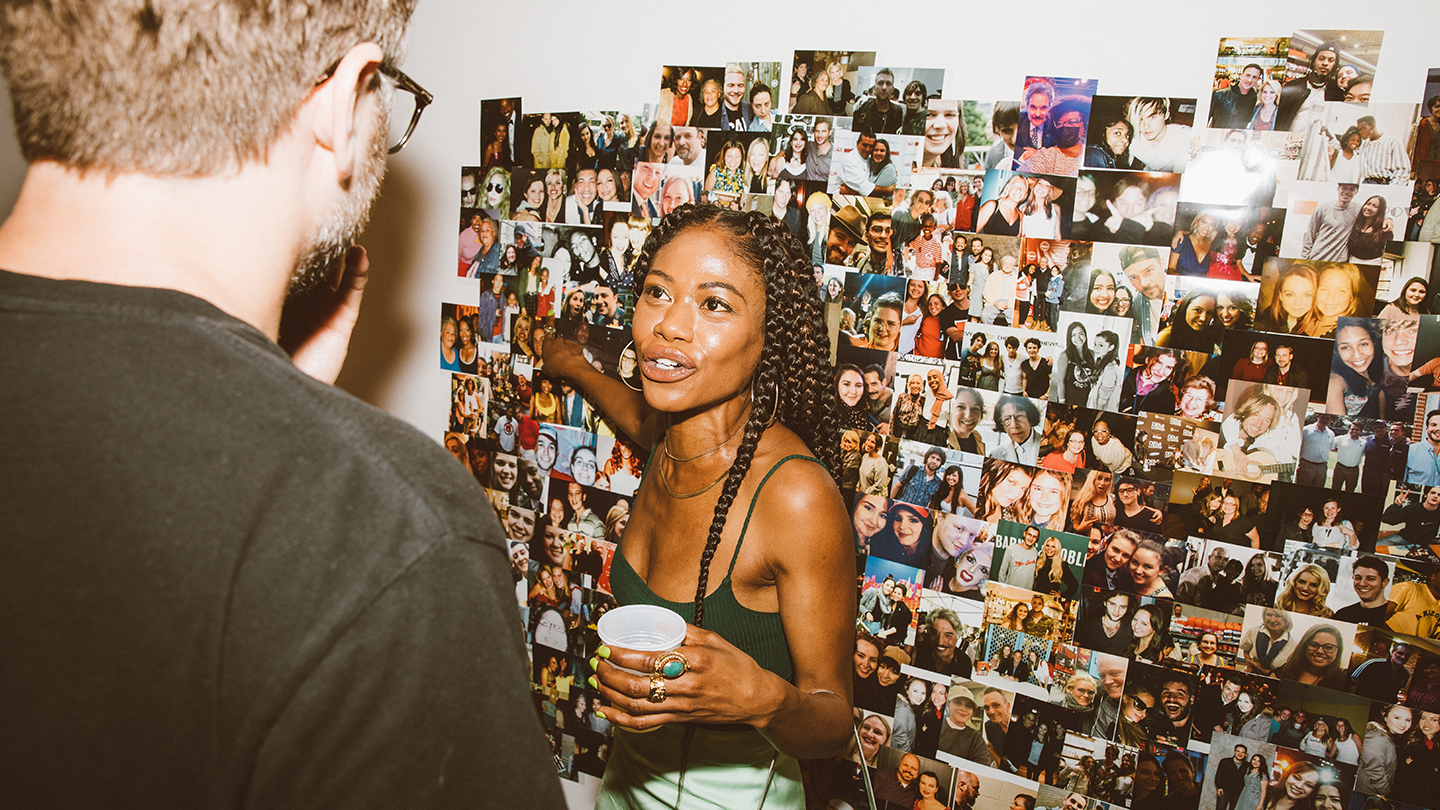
{"x": 1154, "y": 374}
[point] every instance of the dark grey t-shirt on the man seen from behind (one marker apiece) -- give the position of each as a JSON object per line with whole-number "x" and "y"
{"x": 225, "y": 584}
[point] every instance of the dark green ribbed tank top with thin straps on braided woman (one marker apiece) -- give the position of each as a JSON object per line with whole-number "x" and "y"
{"x": 760, "y": 635}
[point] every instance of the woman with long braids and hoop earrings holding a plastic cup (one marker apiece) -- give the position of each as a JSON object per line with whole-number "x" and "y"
{"x": 738, "y": 394}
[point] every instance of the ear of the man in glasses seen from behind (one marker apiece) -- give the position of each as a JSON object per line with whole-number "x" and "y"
{"x": 346, "y": 112}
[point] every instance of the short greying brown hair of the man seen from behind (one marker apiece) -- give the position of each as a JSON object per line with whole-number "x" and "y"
{"x": 175, "y": 90}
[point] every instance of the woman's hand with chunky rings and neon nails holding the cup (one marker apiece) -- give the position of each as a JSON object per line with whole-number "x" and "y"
{"x": 722, "y": 687}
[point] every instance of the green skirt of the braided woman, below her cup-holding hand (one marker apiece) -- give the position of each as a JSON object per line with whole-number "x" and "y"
{"x": 726, "y": 770}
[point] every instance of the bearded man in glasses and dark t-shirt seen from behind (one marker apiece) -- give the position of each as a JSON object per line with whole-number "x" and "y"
{"x": 257, "y": 590}
